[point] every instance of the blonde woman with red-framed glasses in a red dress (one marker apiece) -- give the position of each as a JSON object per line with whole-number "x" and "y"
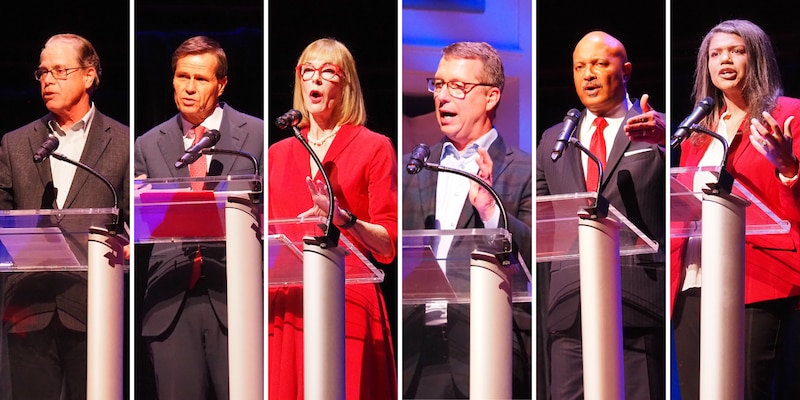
{"x": 362, "y": 167}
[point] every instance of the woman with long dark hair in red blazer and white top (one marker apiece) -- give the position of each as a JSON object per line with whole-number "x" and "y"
{"x": 736, "y": 67}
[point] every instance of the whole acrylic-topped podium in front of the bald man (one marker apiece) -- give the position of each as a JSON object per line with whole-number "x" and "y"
{"x": 567, "y": 228}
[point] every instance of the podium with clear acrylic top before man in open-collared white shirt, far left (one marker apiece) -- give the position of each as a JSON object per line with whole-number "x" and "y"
{"x": 76, "y": 240}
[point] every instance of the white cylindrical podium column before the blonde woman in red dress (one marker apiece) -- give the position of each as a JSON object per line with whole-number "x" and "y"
{"x": 323, "y": 322}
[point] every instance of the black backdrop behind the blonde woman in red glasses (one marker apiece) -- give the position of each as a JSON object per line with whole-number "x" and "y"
{"x": 369, "y": 30}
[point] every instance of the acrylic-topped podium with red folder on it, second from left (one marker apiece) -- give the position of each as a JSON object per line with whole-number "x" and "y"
{"x": 168, "y": 210}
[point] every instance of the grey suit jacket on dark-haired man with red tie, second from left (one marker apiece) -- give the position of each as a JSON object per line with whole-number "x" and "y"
{"x": 169, "y": 269}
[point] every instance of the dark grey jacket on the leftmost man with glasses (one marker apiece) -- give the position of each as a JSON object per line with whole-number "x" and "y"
{"x": 31, "y": 299}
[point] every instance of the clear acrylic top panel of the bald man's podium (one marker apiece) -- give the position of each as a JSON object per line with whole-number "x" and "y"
{"x": 557, "y": 224}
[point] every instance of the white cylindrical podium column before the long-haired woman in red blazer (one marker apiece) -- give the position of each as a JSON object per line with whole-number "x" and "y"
{"x": 722, "y": 301}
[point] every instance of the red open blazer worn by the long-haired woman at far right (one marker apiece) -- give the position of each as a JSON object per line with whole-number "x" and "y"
{"x": 772, "y": 262}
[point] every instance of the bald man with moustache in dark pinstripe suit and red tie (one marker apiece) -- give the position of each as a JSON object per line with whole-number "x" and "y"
{"x": 634, "y": 183}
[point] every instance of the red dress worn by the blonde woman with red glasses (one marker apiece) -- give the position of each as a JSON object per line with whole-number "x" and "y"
{"x": 362, "y": 167}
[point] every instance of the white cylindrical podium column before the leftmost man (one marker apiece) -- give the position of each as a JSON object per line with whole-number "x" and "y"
{"x": 105, "y": 313}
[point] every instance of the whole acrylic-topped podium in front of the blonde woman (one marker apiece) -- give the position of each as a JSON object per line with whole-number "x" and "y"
{"x": 297, "y": 260}
